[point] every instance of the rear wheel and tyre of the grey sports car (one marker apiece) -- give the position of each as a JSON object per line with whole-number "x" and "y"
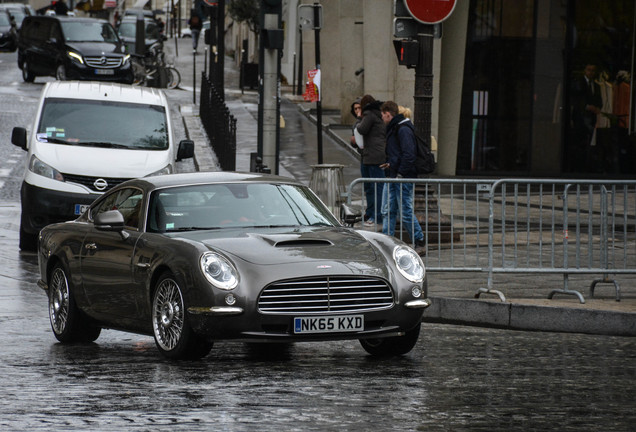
{"x": 67, "y": 322}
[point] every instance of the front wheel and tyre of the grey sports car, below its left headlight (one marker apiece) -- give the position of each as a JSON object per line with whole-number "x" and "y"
{"x": 174, "y": 337}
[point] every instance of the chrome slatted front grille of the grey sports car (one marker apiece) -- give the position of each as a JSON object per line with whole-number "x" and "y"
{"x": 326, "y": 294}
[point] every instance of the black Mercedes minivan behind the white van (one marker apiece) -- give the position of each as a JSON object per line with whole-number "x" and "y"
{"x": 72, "y": 48}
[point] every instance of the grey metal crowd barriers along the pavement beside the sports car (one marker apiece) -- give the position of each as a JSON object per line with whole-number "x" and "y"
{"x": 566, "y": 227}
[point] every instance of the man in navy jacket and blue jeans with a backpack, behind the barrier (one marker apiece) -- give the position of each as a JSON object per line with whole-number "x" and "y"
{"x": 401, "y": 153}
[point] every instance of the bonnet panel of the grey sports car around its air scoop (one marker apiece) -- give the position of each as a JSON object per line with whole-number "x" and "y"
{"x": 283, "y": 247}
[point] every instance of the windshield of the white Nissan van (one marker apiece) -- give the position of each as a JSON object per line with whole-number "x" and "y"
{"x": 103, "y": 124}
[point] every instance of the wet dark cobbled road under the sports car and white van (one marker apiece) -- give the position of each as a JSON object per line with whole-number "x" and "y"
{"x": 457, "y": 378}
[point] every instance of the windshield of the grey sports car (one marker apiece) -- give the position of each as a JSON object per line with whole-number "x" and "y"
{"x": 242, "y": 205}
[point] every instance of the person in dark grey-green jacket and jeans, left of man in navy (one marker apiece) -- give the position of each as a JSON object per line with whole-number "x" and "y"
{"x": 371, "y": 127}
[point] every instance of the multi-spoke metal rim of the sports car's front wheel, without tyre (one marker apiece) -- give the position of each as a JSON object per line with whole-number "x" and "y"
{"x": 168, "y": 314}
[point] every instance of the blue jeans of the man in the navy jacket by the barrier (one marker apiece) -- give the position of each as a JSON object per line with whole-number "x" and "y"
{"x": 397, "y": 200}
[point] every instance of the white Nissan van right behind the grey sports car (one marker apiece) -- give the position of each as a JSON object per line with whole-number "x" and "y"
{"x": 88, "y": 137}
